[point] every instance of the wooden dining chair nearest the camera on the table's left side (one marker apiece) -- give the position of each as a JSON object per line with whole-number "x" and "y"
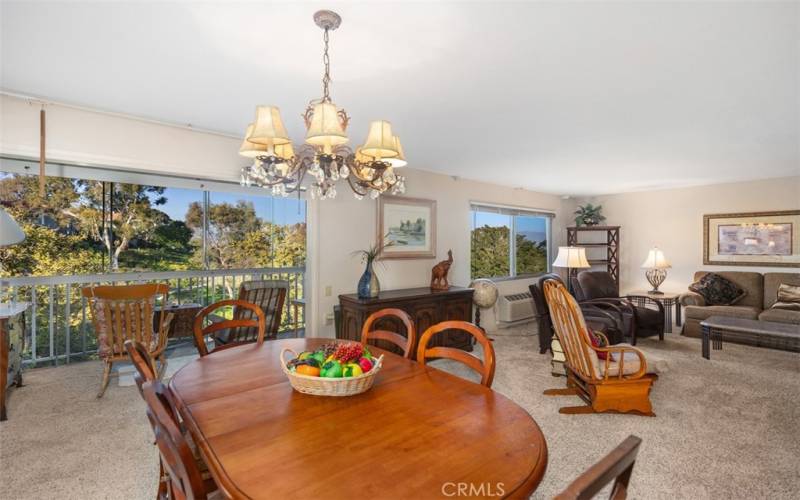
{"x": 185, "y": 479}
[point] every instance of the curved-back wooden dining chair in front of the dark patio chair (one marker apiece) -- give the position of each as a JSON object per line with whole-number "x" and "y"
{"x": 232, "y": 325}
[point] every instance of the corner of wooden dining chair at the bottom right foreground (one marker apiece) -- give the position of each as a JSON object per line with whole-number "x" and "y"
{"x": 617, "y": 465}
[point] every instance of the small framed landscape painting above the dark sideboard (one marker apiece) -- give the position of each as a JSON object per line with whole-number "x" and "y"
{"x": 406, "y": 228}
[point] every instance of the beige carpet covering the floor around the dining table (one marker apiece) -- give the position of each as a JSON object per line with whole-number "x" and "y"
{"x": 725, "y": 428}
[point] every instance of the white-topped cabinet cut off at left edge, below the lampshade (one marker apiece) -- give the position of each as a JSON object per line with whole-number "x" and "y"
{"x": 12, "y": 342}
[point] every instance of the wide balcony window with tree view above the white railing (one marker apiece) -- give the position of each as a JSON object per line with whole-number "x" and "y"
{"x": 101, "y": 220}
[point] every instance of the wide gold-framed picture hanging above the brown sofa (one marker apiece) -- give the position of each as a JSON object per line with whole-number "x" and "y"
{"x": 752, "y": 239}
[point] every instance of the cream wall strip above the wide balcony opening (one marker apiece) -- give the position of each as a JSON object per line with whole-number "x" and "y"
{"x": 94, "y": 138}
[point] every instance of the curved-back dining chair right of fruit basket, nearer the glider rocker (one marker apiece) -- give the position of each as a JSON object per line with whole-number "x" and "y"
{"x": 485, "y": 368}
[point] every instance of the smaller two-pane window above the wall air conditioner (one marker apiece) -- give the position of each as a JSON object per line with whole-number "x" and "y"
{"x": 509, "y": 242}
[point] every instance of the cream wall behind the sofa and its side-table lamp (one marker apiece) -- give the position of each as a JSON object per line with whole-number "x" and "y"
{"x": 672, "y": 220}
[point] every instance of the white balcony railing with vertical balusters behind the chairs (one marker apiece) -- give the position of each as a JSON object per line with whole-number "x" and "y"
{"x": 59, "y": 326}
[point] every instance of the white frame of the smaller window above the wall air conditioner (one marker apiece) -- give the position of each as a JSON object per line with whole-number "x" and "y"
{"x": 514, "y": 212}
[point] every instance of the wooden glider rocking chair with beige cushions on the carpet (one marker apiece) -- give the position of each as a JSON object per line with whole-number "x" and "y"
{"x": 617, "y": 384}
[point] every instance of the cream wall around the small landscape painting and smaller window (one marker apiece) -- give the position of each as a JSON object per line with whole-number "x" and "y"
{"x": 346, "y": 225}
